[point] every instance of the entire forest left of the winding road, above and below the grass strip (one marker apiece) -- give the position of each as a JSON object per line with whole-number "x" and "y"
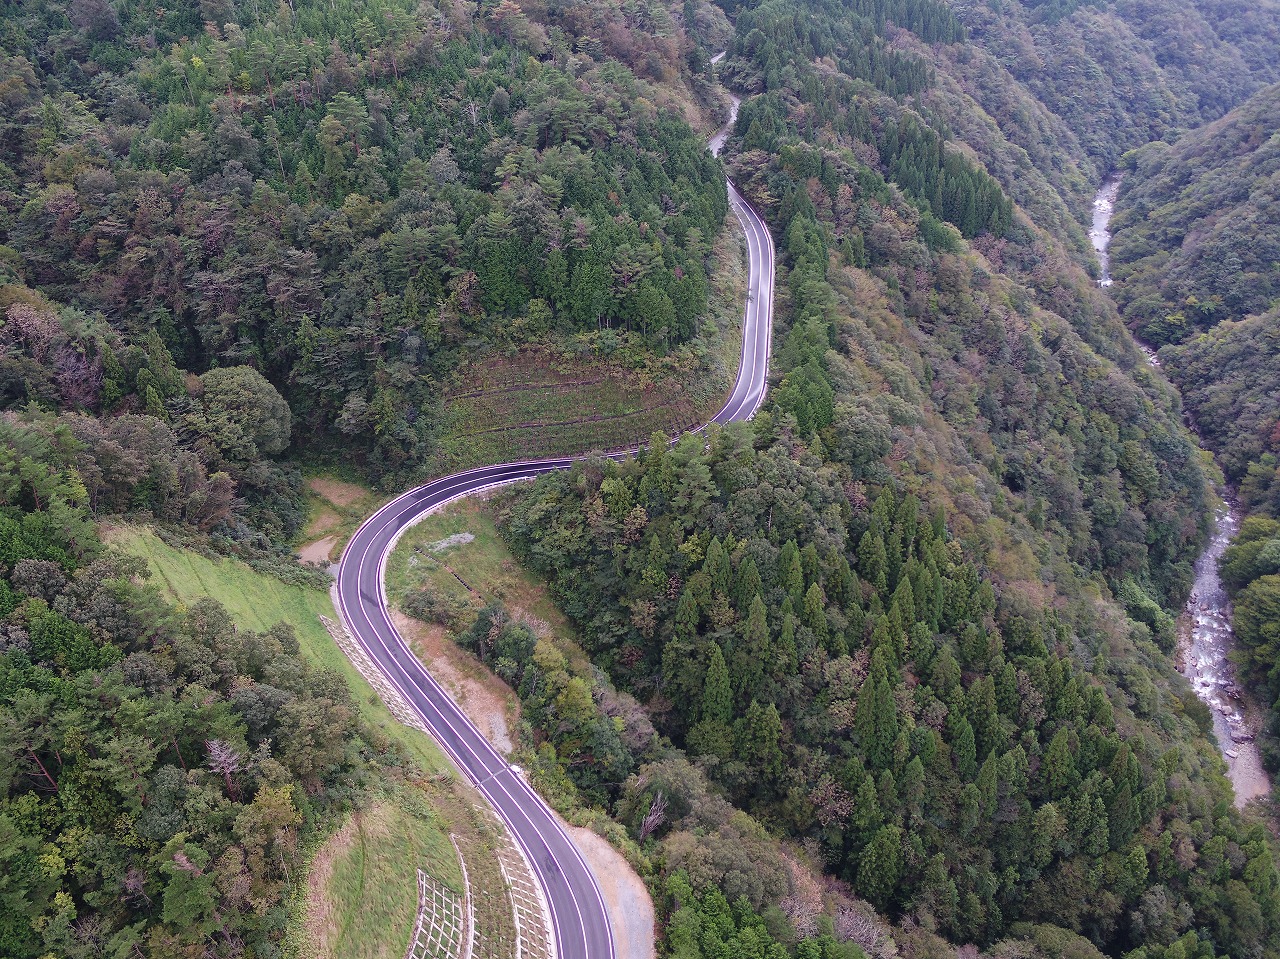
{"x": 226, "y": 229}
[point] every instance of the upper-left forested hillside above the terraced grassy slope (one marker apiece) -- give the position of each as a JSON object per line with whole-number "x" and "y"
{"x": 351, "y": 198}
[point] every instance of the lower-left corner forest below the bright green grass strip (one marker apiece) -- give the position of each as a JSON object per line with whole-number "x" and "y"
{"x": 161, "y": 771}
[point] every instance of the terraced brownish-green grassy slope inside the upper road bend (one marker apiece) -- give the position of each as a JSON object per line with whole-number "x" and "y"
{"x": 545, "y": 401}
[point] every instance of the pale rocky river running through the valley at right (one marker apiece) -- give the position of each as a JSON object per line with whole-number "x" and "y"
{"x": 1205, "y": 638}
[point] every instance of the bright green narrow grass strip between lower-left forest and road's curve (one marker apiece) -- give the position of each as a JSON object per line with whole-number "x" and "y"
{"x": 259, "y": 602}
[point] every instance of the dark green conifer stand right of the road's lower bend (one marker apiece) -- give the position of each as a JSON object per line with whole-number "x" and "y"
{"x": 842, "y": 672}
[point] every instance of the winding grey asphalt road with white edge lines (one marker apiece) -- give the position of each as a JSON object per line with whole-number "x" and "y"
{"x": 578, "y": 912}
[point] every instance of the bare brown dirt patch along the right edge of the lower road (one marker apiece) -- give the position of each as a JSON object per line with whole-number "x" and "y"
{"x": 487, "y": 701}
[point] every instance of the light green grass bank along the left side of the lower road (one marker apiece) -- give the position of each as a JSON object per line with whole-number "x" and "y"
{"x": 359, "y": 894}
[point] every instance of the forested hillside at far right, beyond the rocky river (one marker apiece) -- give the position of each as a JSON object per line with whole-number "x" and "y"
{"x": 1196, "y": 249}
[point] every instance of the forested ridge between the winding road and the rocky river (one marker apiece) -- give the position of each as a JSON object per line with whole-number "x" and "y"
{"x": 916, "y": 619}
